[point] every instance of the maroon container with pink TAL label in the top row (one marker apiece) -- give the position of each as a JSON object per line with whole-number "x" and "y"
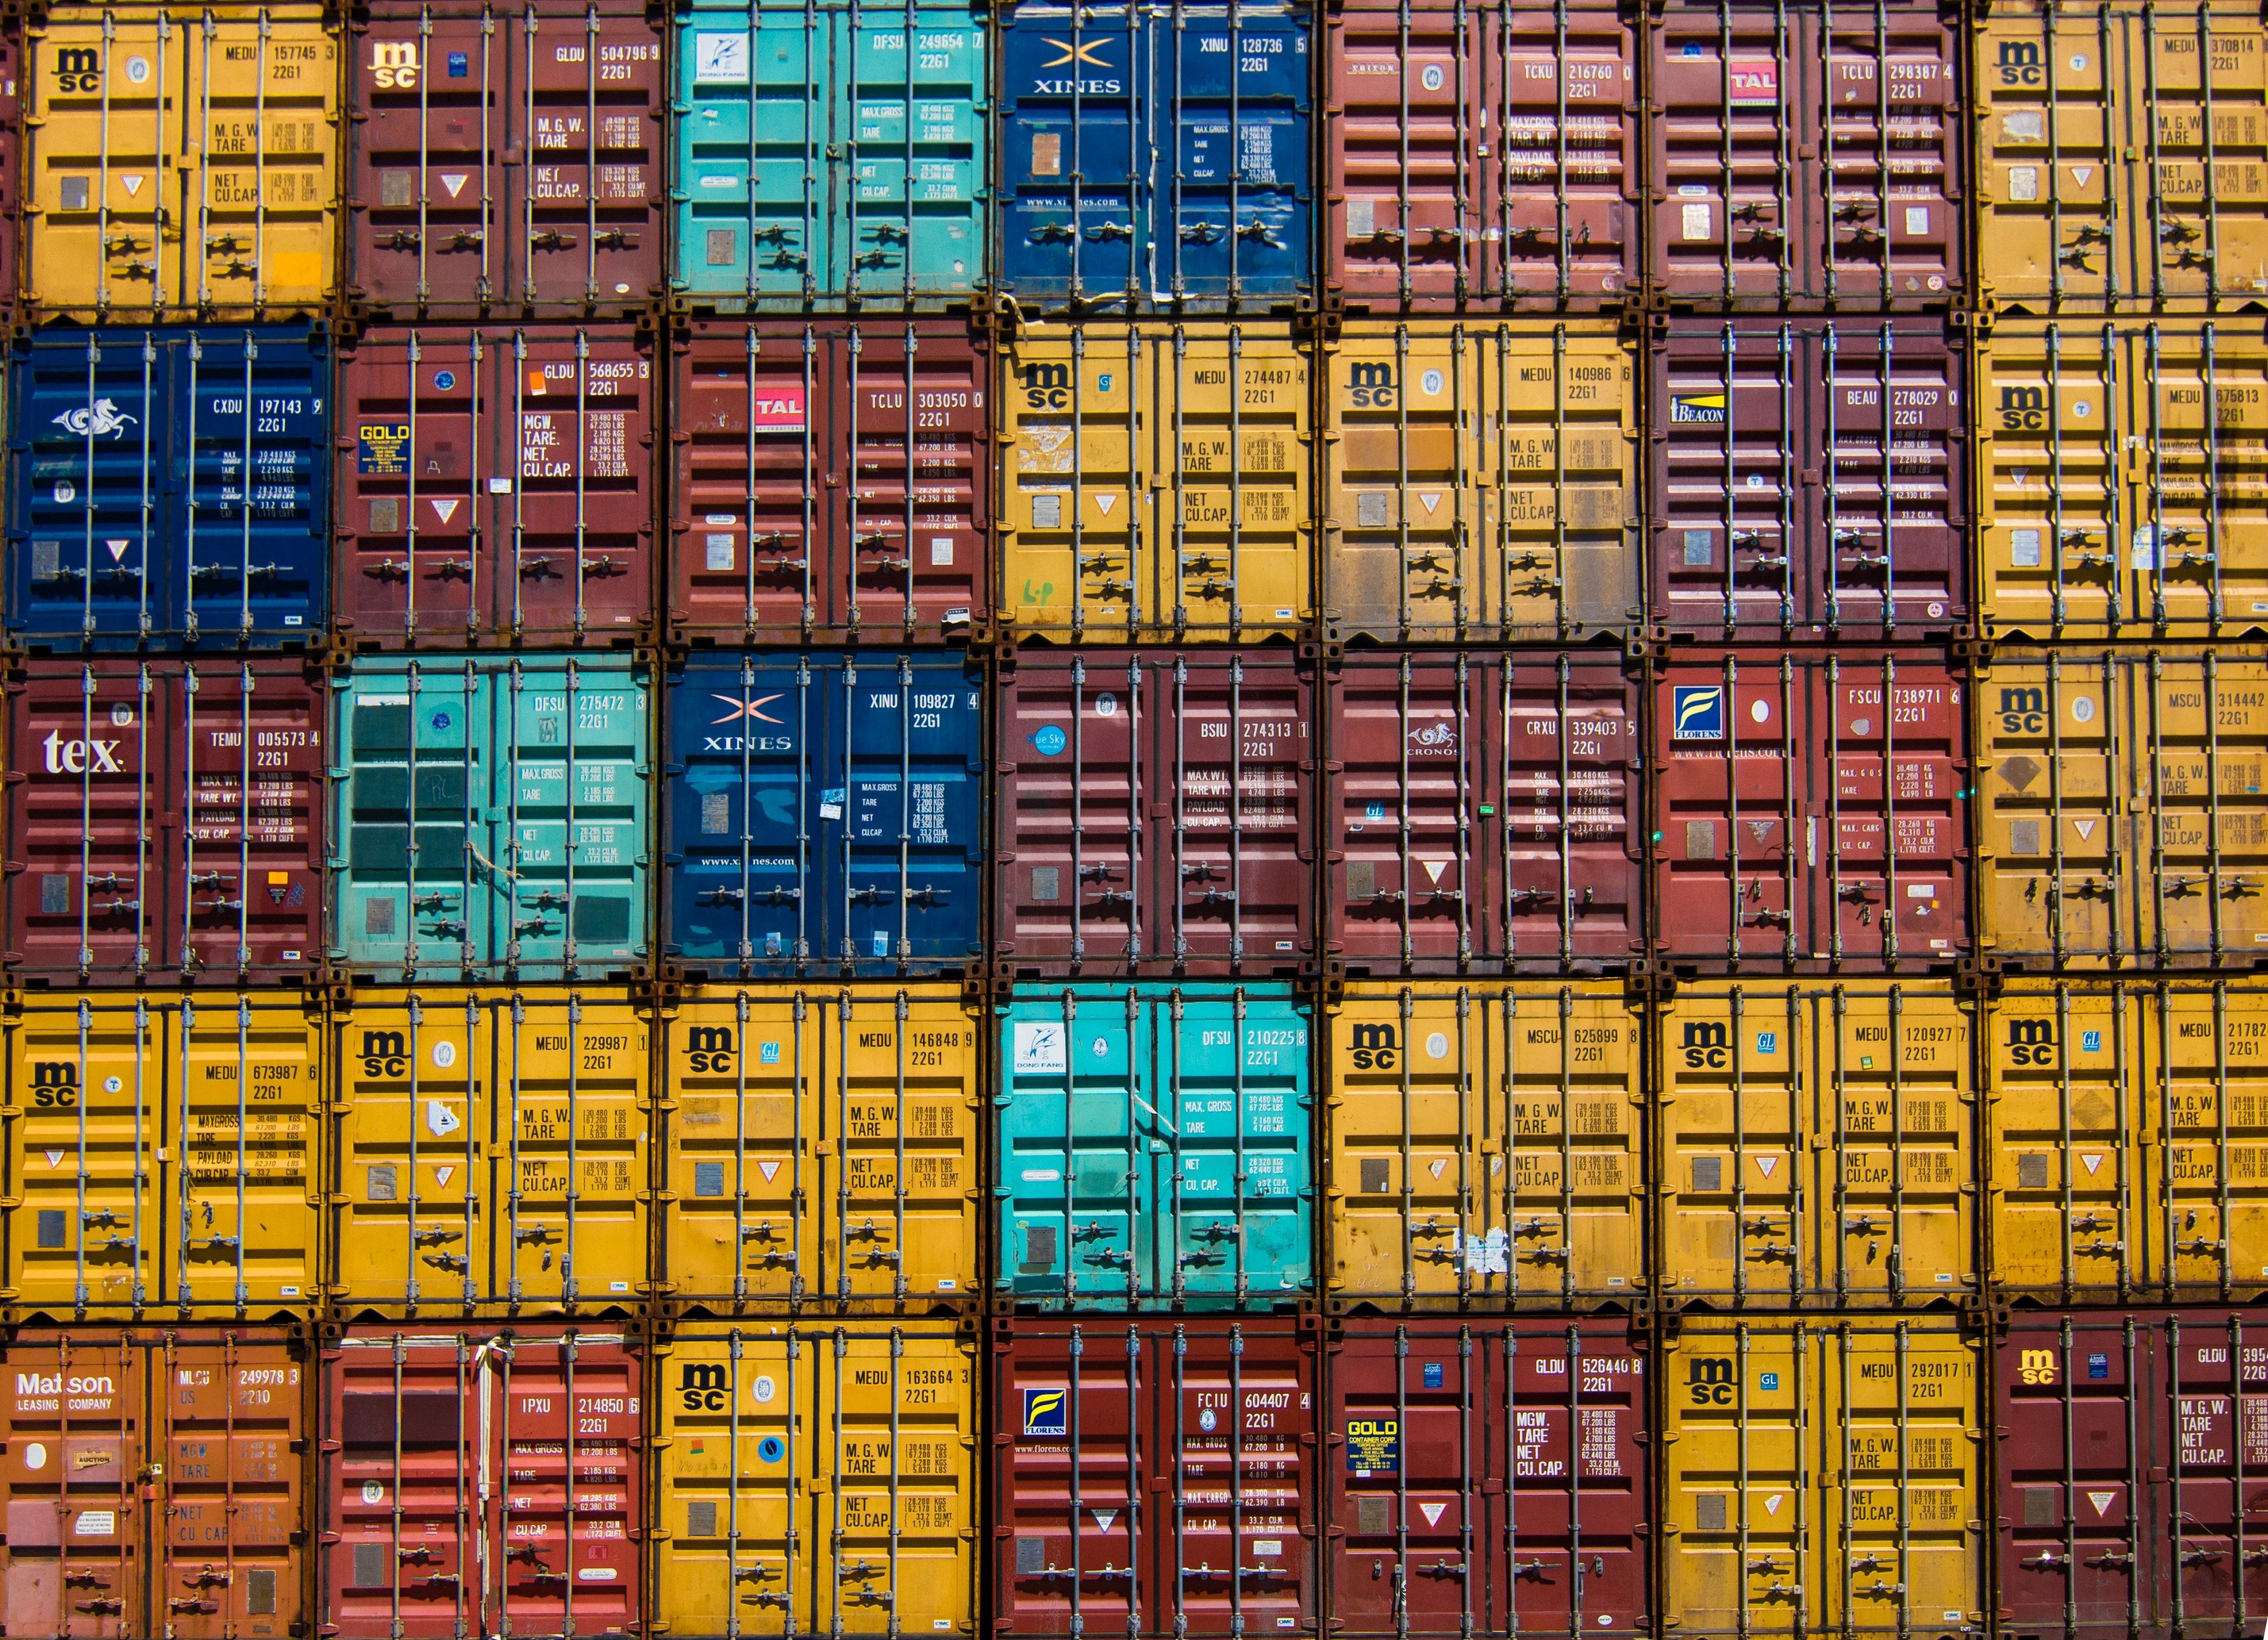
{"x": 1806, "y": 155}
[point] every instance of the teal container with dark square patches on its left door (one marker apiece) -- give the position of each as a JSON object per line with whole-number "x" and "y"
{"x": 489, "y": 818}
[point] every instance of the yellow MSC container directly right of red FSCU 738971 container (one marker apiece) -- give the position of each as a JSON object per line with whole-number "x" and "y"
{"x": 2122, "y": 811}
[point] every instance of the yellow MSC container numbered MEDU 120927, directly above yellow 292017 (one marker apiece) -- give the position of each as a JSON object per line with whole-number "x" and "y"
{"x": 1818, "y": 1147}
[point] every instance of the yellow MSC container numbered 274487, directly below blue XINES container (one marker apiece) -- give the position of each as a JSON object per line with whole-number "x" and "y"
{"x": 1156, "y": 484}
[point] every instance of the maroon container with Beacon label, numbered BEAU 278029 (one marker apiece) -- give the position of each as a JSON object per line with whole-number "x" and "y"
{"x": 1811, "y": 480}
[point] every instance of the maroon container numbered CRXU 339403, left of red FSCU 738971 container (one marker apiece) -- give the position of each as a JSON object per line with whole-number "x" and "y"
{"x": 1484, "y": 813}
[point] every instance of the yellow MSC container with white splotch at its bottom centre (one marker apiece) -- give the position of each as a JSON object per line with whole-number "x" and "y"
{"x": 1487, "y": 1147}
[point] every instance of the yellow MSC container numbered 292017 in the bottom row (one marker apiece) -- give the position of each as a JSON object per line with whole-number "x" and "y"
{"x": 1825, "y": 1478}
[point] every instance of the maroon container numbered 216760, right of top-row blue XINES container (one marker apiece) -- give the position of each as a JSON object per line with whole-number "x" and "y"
{"x": 1482, "y": 155}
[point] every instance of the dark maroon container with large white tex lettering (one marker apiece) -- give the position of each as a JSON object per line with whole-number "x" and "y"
{"x": 164, "y": 820}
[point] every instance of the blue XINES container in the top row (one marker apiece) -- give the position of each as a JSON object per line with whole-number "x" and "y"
{"x": 1156, "y": 155}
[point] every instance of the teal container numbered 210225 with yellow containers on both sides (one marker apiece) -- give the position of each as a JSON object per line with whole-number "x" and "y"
{"x": 1156, "y": 1147}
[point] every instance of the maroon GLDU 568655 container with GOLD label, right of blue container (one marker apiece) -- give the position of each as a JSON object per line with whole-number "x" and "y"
{"x": 496, "y": 487}
